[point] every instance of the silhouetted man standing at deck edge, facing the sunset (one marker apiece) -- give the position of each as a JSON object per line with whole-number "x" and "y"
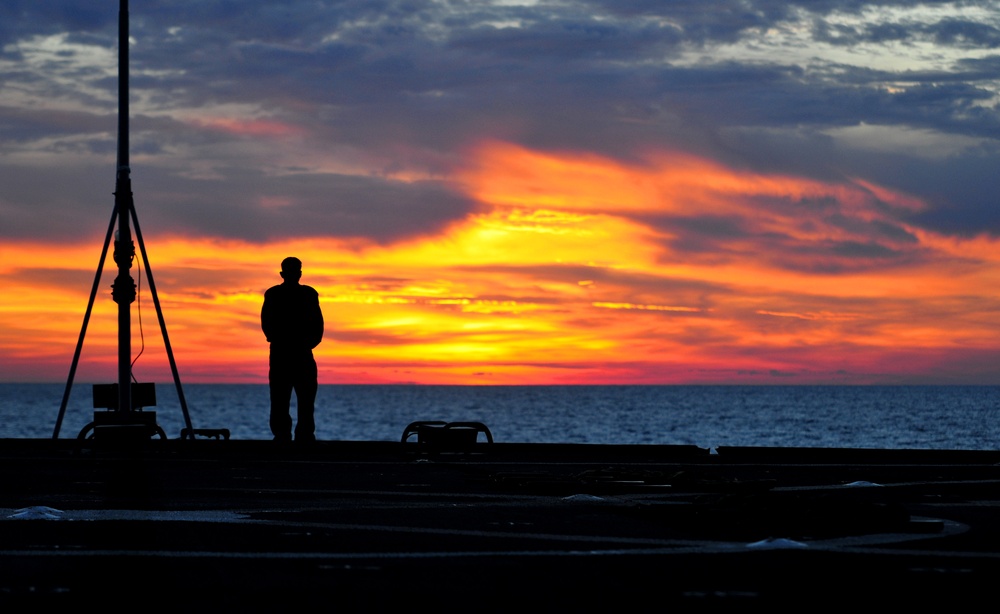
{"x": 293, "y": 323}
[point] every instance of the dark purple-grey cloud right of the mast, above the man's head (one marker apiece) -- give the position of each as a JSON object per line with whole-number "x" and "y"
{"x": 240, "y": 205}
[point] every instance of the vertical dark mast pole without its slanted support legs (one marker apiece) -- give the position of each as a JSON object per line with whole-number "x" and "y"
{"x": 123, "y": 289}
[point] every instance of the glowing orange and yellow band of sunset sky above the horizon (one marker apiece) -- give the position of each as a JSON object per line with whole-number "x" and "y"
{"x": 573, "y": 269}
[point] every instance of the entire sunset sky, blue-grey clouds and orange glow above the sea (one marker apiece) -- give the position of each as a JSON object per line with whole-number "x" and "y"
{"x": 513, "y": 192}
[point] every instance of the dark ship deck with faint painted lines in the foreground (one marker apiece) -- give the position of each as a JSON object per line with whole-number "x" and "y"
{"x": 255, "y": 526}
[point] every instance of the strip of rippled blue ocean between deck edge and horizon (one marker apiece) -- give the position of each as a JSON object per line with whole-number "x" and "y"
{"x": 900, "y": 417}
